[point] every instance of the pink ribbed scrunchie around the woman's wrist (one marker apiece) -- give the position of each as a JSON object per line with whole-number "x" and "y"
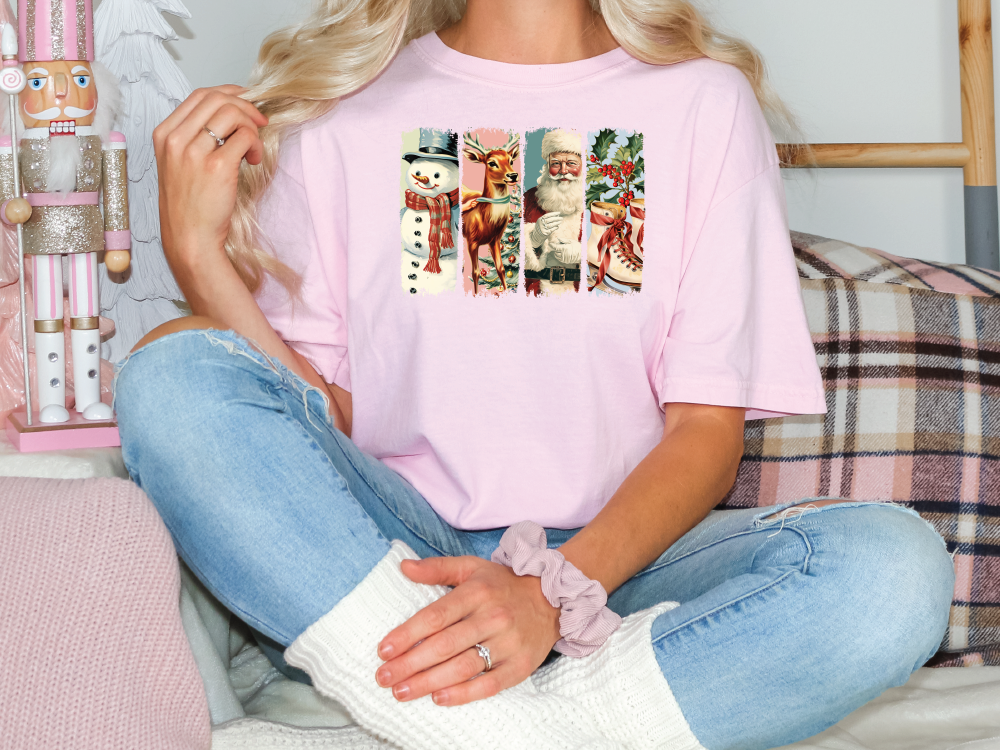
{"x": 585, "y": 622}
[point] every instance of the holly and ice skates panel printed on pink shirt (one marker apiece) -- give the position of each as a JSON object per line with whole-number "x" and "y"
{"x": 616, "y": 211}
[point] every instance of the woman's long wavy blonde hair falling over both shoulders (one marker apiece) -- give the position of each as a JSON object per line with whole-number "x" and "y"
{"x": 302, "y": 72}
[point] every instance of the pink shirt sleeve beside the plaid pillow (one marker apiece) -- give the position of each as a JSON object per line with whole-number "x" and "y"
{"x": 738, "y": 334}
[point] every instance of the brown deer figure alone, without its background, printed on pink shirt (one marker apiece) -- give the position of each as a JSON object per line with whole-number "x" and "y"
{"x": 485, "y": 213}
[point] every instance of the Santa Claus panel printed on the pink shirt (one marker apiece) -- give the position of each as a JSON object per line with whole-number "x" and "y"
{"x": 553, "y": 212}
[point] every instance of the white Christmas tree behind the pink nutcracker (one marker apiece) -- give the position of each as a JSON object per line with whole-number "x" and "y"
{"x": 128, "y": 39}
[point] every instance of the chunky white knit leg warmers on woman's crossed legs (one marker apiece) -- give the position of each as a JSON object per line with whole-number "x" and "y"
{"x": 614, "y": 699}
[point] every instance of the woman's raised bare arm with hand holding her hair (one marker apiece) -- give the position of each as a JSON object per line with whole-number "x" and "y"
{"x": 198, "y": 183}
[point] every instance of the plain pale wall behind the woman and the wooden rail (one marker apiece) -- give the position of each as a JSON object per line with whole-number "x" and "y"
{"x": 854, "y": 70}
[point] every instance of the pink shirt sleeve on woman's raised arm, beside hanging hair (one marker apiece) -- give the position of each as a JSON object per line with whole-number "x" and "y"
{"x": 313, "y": 323}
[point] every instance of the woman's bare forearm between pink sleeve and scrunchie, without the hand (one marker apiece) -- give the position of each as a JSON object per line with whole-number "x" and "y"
{"x": 665, "y": 496}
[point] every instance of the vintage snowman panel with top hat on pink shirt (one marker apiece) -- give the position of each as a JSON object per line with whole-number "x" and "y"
{"x": 429, "y": 216}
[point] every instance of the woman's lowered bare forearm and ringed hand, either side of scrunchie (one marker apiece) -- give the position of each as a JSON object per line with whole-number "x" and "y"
{"x": 667, "y": 494}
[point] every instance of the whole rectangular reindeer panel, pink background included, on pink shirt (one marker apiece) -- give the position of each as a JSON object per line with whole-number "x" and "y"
{"x": 491, "y": 210}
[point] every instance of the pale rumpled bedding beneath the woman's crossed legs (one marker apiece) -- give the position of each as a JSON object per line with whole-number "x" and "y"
{"x": 938, "y": 709}
